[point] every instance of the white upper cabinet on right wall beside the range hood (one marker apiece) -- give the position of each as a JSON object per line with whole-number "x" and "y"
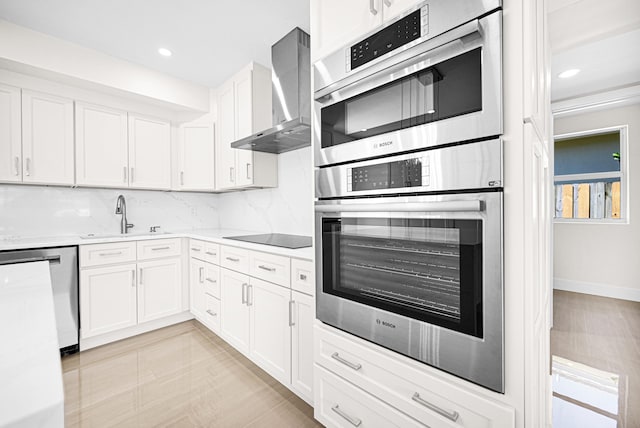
{"x": 244, "y": 107}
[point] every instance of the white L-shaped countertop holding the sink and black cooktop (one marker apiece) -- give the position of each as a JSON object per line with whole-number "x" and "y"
{"x": 212, "y": 235}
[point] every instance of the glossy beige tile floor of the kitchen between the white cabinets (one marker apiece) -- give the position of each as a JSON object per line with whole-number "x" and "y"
{"x": 179, "y": 376}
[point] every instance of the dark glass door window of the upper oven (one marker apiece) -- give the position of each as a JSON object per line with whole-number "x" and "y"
{"x": 445, "y": 90}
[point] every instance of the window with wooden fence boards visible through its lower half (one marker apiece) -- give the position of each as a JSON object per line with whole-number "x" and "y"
{"x": 590, "y": 175}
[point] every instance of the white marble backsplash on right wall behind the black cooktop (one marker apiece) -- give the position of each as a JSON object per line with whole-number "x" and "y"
{"x": 285, "y": 209}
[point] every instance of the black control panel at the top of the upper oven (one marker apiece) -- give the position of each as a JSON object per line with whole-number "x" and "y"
{"x": 405, "y": 30}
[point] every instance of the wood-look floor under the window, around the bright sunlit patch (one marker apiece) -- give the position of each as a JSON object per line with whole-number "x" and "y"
{"x": 604, "y": 334}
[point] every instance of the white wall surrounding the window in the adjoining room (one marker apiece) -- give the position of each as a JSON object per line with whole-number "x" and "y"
{"x": 602, "y": 259}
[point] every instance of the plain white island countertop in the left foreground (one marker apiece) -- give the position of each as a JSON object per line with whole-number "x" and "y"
{"x": 31, "y": 391}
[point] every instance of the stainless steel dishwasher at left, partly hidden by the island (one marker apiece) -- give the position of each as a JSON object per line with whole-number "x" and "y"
{"x": 63, "y": 265}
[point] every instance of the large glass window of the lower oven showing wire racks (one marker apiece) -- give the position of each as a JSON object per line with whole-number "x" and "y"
{"x": 428, "y": 269}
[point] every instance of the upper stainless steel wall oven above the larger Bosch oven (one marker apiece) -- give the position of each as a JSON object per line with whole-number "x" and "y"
{"x": 431, "y": 77}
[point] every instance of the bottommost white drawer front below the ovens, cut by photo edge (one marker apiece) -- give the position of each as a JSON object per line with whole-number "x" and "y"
{"x": 340, "y": 404}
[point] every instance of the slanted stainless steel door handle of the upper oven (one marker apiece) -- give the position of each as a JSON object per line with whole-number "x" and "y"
{"x": 383, "y": 70}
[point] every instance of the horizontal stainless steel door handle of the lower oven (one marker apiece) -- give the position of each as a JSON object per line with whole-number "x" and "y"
{"x": 448, "y": 206}
